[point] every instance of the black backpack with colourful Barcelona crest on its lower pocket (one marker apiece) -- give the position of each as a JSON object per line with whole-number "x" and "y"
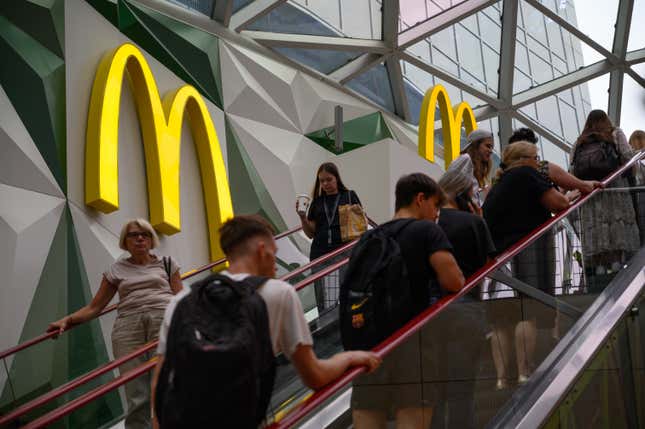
{"x": 375, "y": 295}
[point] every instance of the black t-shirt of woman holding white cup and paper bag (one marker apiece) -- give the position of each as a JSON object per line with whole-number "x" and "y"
{"x": 320, "y": 244}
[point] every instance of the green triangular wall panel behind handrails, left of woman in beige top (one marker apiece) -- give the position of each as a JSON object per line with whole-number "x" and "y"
{"x": 63, "y": 288}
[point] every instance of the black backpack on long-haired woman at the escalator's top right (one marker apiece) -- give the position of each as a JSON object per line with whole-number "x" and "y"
{"x": 595, "y": 159}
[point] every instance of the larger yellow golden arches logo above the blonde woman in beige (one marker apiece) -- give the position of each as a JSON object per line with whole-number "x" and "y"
{"x": 161, "y": 123}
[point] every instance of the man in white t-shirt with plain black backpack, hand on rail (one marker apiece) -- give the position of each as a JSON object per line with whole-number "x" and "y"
{"x": 219, "y": 339}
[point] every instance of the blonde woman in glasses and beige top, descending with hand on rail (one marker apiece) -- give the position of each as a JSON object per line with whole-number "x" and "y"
{"x": 145, "y": 289}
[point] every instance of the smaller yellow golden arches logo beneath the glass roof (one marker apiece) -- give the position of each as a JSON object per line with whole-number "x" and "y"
{"x": 451, "y": 121}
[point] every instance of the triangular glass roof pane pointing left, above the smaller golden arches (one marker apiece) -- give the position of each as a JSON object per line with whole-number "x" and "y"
{"x": 468, "y": 50}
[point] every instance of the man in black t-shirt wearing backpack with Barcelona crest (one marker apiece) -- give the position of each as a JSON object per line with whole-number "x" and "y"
{"x": 395, "y": 272}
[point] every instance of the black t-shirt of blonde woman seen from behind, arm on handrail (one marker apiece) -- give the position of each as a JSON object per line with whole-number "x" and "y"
{"x": 513, "y": 209}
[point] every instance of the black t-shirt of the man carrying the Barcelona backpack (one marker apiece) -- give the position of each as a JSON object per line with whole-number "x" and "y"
{"x": 418, "y": 241}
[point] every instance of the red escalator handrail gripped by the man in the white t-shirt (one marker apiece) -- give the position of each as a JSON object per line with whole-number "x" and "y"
{"x": 396, "y": 339}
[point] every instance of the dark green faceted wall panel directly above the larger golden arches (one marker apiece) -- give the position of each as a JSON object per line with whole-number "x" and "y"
{"x": 191, "y": 54}
